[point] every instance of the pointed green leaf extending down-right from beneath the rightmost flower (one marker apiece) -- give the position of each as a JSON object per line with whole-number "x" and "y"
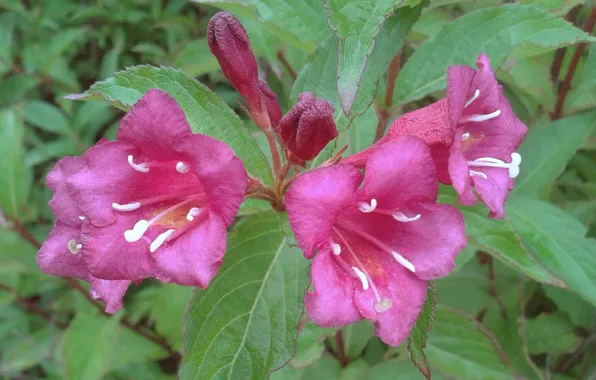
{"x": 500, "y": 239}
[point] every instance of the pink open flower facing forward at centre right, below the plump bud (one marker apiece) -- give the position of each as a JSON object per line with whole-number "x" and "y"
{"x": 378, "y": 243}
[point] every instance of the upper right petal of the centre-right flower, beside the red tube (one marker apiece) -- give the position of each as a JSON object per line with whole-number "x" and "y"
{"x": 400, "y": 172}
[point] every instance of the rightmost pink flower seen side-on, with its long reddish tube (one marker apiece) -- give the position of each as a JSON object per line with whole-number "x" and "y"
{"x": 473, "y": 135}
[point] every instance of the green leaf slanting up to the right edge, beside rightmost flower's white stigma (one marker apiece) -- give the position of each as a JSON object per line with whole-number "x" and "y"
{"x": 546, "y": 150}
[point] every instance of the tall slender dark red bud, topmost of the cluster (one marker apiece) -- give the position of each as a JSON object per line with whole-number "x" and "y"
{"x": 230, "y": 44}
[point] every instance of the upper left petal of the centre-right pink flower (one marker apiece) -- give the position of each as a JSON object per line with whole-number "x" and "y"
{"x": 315, "y": 199}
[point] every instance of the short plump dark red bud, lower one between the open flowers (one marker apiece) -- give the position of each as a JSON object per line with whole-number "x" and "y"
{"x": 307, "y": 128}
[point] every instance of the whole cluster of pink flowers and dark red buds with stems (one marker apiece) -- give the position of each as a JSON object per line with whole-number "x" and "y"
{"x": 157, "y": 201}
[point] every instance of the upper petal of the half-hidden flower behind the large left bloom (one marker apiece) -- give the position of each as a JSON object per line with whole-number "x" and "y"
{"x": 62, "y": 203}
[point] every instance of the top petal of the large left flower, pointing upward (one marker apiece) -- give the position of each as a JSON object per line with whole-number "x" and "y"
{"x": 156, "y": 125}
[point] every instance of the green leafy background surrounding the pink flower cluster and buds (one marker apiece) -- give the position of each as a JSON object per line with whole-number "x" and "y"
{"x": 522, "y": 301}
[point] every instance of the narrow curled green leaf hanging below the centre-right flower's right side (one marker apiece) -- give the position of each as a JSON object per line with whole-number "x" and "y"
{"x": 423, "y": 326}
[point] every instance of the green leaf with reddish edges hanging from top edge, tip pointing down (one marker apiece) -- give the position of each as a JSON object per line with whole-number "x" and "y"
{"x": 356, "y": 23}
